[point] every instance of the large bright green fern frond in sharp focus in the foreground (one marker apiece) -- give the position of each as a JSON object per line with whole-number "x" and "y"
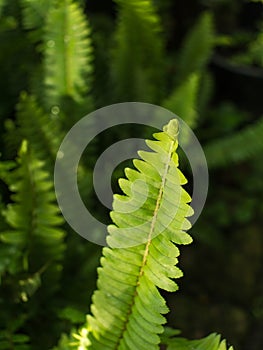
{"x": 151, "y": 215}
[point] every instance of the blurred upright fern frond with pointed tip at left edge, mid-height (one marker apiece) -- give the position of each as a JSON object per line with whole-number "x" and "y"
{"x": 34, "y": 220}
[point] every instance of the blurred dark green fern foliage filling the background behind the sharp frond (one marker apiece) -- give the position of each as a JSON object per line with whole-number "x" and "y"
{"x": 61, "y": 59}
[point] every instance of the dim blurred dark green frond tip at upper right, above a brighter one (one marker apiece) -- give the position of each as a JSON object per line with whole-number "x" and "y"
{"x": 197, "y": 48}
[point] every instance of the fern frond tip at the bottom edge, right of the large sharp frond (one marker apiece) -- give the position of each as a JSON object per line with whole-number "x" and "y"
{"x": 211, "y": 342}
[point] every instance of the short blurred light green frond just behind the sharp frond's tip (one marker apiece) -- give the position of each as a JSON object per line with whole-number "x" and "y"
{"x": 183, "y": 100}
